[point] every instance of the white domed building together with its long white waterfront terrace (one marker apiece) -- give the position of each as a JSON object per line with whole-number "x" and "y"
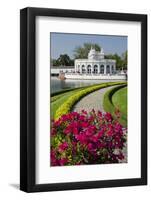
{"x": 95, "y": 67}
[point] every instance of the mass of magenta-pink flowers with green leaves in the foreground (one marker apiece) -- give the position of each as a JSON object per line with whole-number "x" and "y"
{"x": 86, "y": 138}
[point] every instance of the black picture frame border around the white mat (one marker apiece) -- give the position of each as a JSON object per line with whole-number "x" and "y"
{"x": 28, "y": 99}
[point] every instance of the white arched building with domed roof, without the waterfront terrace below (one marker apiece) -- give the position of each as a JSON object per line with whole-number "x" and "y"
{"x": 95, "y": 64}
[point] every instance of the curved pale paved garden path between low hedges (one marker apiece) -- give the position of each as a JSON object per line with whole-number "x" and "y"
{"x": 91, "y": 101}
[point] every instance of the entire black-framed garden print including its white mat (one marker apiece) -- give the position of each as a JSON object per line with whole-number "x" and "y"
{"x": 83, "y": 99}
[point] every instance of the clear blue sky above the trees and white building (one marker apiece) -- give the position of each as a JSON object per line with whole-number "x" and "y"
{"x": 65, "y": 43}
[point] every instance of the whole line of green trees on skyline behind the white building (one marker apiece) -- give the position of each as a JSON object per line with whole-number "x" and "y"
{"x": 82, "y": 52}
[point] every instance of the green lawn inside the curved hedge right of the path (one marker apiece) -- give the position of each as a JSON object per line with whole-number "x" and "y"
{"x": 119, "y": 100}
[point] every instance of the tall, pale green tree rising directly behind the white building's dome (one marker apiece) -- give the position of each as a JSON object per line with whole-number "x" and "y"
{"x": 82, "y": 51}
